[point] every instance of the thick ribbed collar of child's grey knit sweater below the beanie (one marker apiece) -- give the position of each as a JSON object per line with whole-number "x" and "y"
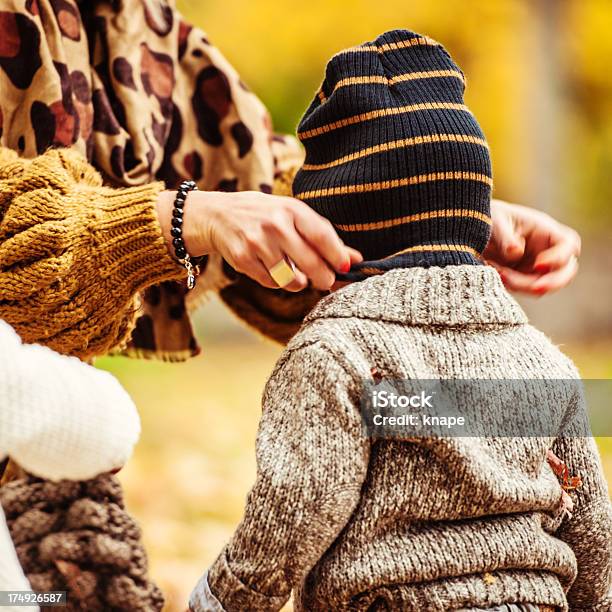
{"x": 454, "y": 296}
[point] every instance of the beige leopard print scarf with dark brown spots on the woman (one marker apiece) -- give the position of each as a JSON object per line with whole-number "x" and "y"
{"x": 144, "y": 96}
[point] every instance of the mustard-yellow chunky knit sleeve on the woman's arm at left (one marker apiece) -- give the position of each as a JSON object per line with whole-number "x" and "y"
{"x": 74, "y": 253}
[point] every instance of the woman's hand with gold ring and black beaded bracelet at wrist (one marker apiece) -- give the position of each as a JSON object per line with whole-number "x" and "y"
{"x": 253, "y": 232}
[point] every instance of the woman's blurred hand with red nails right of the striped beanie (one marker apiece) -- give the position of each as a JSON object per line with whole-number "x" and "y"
{"x": 533, "y": 252}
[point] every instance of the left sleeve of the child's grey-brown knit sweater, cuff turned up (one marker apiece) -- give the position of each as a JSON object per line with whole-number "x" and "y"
{"x": 311, "y": 463}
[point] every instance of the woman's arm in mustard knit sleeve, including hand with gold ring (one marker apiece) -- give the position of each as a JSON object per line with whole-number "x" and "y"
{"x": 74, "y": 254}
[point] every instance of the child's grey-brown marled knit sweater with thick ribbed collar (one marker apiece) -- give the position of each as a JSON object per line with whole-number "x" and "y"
{"x": 350, "y": 523}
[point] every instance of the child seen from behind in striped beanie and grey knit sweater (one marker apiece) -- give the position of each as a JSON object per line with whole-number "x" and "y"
{"x": 399, "y": 165}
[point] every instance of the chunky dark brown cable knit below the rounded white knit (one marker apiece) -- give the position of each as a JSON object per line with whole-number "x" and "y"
{"x": 77, "y": 537}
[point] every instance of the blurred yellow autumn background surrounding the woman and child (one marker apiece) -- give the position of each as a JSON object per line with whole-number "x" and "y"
{"x": 540, "y": 82}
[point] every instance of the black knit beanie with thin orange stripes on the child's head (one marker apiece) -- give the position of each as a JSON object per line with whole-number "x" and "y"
{"x": 394, "y": 158}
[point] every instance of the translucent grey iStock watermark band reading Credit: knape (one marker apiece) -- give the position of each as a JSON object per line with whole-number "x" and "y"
{"x": 396, "y": 408}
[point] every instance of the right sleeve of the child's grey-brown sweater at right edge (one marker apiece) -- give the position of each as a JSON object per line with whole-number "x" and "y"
{"x": 589, "y": 530}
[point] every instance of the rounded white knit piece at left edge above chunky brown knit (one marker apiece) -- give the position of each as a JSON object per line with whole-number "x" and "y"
{"x": 59, "y": 417}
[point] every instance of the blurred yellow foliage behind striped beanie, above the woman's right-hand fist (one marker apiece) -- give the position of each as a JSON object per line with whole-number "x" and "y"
{"x": 538, "y": 77}
